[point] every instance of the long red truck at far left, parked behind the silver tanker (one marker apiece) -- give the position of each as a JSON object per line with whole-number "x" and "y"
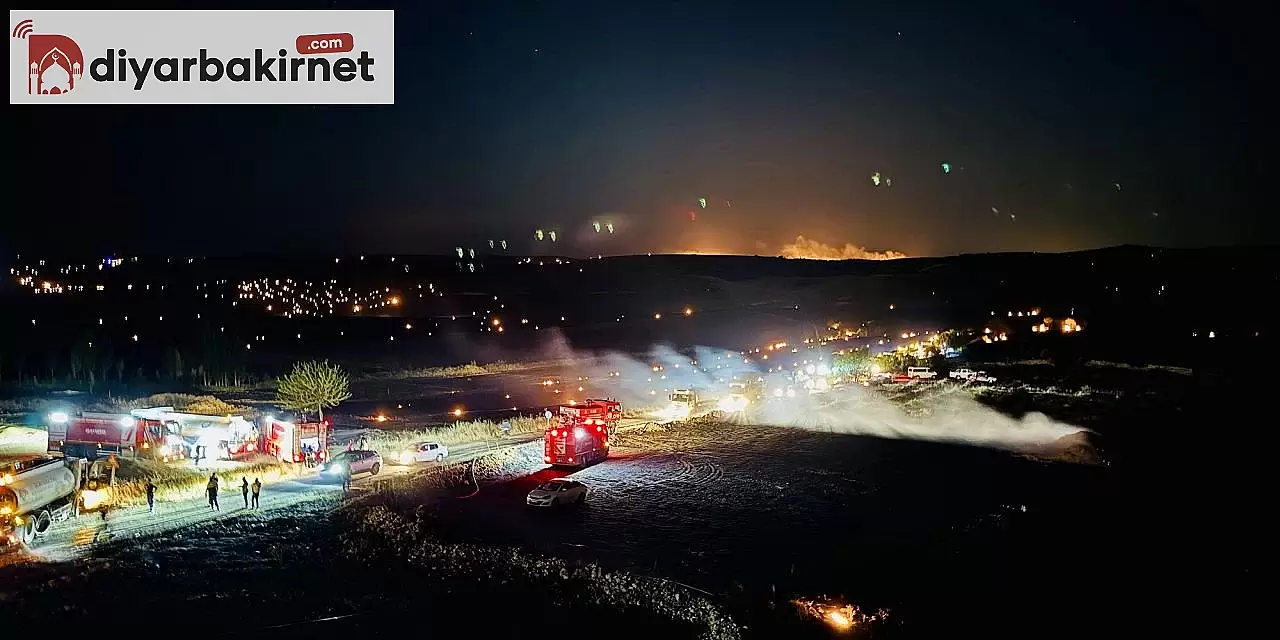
{"x": 93, "y": 436}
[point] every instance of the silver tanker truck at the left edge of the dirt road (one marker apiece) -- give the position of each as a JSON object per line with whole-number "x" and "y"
{"x": 38, "y": 492}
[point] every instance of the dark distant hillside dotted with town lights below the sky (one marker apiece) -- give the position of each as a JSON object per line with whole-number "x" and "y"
{"x": 164, "y": 318}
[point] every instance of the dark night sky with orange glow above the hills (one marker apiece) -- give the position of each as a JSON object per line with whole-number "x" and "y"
{"x": 515, "y": 116}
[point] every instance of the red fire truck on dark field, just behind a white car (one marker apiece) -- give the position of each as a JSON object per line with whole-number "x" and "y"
{"x": 580, "y": 433}
